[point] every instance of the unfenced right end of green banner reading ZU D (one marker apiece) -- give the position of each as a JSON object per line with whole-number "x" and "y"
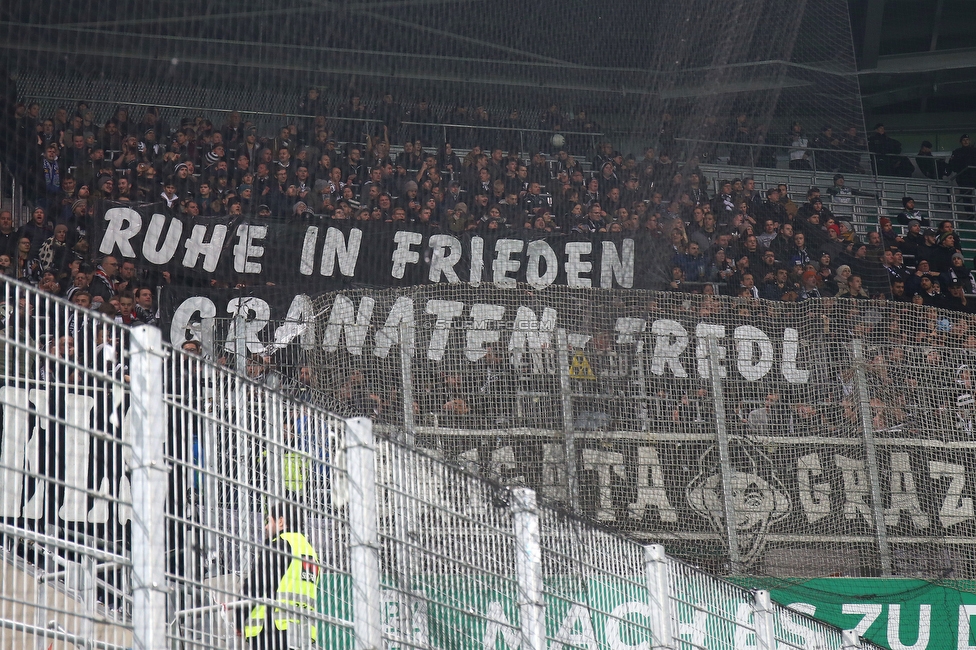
{"x": 895, "y": 613}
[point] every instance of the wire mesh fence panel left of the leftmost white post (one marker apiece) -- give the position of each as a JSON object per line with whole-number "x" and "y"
{"x": 64, "y": 493}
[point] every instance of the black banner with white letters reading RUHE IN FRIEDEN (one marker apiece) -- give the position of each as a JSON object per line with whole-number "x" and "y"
{"x": 325, "y": 255}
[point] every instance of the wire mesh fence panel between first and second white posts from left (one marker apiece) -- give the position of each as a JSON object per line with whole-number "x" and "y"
{"x": 241, "y": 454}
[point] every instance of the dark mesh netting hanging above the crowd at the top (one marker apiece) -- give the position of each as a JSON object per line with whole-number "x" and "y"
{"x": 612, "y": 71}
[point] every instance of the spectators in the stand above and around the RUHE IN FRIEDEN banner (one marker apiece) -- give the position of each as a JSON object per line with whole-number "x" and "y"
{"x": 744, "y": 240}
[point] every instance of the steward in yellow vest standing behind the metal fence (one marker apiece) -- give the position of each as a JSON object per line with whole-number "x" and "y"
{"x": 286, "y": 571}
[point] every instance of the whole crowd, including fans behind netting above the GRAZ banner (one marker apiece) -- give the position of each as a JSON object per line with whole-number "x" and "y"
{"x": 744, "y": 241}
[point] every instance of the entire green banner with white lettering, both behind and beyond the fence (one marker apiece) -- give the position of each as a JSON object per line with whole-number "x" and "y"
{"x": 480, "y": 613}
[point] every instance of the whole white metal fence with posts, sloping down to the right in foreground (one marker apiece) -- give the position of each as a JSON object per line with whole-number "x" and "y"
{"x": 138, "y": 482}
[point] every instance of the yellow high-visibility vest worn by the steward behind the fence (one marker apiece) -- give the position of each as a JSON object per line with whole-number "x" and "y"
{"x": 298, "y": 589}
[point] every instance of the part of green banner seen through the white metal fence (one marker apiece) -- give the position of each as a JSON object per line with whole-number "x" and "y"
{"x": 481, "y": 613}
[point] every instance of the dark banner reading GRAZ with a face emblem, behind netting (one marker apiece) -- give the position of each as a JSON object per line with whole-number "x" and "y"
{"x": 801, "y": 508}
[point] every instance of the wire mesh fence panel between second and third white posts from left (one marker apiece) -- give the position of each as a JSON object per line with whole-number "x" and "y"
{"x": 447, "y": 553}
